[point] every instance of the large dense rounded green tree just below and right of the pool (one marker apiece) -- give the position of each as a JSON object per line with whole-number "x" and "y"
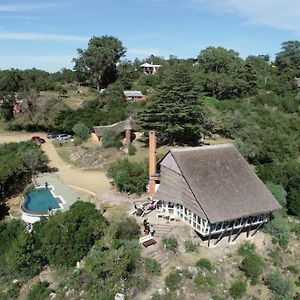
{"x": 67, "y": 237}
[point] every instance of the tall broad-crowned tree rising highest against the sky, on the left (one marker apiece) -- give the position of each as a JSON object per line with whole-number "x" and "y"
{"x": 97, "y": 63}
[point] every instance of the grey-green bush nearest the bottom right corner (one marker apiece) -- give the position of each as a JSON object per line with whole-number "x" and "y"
{"x": 278, "y": 284}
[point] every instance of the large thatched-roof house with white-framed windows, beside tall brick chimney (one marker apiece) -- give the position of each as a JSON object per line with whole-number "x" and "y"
{"x": 213, "y": 189}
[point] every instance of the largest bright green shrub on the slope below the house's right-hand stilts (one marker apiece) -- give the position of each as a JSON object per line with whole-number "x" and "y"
{"x": 252, "y": 265}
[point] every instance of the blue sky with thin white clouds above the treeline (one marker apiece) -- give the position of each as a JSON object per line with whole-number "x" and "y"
{"x": 46, "y": 34}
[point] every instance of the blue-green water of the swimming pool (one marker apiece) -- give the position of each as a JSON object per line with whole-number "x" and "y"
{"x": 40, "y": 200}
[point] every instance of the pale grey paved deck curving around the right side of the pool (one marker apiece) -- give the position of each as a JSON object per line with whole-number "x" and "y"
{"x": 68, "y": 195}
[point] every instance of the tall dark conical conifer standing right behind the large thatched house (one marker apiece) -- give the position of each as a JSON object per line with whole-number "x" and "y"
{"x": 175, "y": 111}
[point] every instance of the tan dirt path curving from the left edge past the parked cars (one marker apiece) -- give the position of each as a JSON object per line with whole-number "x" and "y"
{"x": 93, "y": 181}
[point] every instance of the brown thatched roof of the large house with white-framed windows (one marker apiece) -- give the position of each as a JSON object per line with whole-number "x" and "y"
{"x": 221, "y": 181}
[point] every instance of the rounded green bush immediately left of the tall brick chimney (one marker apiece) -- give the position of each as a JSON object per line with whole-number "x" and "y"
{"x": 130, "y": 177}
